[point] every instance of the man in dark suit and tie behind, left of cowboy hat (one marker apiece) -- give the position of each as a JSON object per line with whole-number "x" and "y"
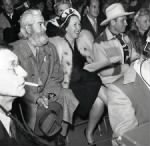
{"x": 91, "y": 21}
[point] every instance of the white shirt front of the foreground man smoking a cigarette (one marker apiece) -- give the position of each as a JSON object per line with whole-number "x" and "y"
{"x": 6, "y": 122}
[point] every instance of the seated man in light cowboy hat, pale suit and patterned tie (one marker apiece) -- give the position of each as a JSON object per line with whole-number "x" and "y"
{"x": 120, "y": 78}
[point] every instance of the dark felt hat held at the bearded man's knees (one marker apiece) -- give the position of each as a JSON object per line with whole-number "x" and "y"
{"x": 48, "y": 121}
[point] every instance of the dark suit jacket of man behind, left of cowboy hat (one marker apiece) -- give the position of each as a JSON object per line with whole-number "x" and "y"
{"x": 86, "y": 24}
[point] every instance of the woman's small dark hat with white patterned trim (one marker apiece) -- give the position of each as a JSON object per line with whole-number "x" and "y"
{"x": 67, "y": 14}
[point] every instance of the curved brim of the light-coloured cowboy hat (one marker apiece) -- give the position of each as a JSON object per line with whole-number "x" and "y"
{"x": 113, "y": 17}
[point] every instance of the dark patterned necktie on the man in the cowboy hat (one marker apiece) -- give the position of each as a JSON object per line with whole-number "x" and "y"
{"x": 125, "y": 48}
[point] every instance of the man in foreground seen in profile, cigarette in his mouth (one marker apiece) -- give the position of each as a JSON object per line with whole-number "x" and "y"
{"x": 11, "y": 86}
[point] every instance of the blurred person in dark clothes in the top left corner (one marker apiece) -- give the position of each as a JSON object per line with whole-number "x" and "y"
{"x": 9, "y": 26}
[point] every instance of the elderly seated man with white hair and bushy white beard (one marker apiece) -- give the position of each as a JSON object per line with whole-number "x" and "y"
{"x": 39, "y": 58}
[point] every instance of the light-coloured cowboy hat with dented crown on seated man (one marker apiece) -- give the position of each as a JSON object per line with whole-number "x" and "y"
{"x": 113, "y": 11}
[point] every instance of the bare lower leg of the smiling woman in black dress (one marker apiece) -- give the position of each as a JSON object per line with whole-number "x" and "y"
{"x": 94, "y": 117}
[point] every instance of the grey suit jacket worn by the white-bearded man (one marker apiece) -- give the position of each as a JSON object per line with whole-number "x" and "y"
{"x": 46, "y": 72}
